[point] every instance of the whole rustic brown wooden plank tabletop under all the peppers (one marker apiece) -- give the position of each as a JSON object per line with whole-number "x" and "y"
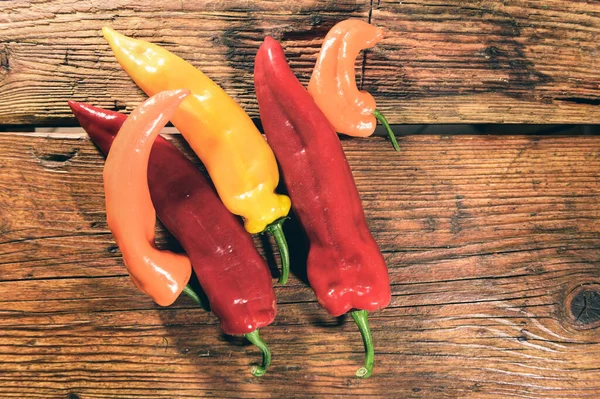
{"x": 492, "y": 241}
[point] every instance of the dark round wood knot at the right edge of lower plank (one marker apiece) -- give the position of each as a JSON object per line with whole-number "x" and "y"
{"x": 583, "y": 305}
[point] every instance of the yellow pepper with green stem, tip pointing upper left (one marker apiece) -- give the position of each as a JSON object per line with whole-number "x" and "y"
{"x": 239, "y": 161}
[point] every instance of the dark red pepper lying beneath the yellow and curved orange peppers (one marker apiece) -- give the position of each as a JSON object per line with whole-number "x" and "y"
{"x": 222, "y": 253}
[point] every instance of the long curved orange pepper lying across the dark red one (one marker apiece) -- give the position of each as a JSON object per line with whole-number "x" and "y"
{"x": 131, "y": 217}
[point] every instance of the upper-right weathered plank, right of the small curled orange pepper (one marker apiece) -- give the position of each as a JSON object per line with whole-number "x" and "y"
{"x": 479, "y": 61}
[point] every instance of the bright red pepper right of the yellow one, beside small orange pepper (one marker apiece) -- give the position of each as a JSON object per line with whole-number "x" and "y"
{"x": 345, "y": 267}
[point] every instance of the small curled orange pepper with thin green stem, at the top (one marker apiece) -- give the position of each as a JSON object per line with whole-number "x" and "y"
{"x": 333, "y": 83}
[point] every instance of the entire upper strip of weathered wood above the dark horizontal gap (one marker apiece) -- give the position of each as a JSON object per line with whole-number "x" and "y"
{"x": 441, "y": 61}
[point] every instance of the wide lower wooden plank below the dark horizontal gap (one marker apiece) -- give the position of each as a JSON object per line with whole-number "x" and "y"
{"x": 492, "y": 242}
